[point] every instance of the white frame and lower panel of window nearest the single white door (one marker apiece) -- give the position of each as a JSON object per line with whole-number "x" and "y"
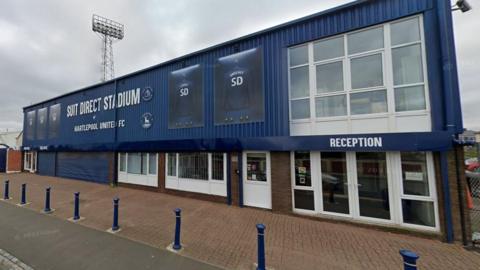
{"x": 210, "y": 186}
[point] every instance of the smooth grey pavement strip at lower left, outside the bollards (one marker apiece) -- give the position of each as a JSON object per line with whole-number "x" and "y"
{"x": 45, "y": 242}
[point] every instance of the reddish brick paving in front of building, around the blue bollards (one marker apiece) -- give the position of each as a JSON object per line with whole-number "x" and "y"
{"x": 226, "y": 236}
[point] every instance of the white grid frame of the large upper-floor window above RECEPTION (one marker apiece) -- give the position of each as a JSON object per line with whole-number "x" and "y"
{"x": 388, "y": 85}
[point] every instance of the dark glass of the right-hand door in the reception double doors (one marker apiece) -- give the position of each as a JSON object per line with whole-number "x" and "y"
{"x": 372, "y": 185}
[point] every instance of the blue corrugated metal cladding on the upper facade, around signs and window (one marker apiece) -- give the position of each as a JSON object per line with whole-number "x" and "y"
{"x": 274, "y": 43}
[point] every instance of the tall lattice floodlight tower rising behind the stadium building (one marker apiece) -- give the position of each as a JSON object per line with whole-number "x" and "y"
{"x": 109, "y": 31}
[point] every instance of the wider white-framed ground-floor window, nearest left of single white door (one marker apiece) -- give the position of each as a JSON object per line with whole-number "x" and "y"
{"x": 200, "y": 172}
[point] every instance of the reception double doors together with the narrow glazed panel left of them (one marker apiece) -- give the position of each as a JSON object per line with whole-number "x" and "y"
{"x": 342, "y": 183}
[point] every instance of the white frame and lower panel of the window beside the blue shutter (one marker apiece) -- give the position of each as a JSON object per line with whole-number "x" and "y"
{"x": 147, "y": 179}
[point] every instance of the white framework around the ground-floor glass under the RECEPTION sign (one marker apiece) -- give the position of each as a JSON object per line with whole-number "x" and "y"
{"x": 395, "y": 192}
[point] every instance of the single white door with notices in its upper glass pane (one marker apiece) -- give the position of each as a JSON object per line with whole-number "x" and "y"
{"x": 256, "y": 179}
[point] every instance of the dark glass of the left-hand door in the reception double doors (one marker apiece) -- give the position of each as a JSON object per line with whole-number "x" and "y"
{"x": 335, "y": 193}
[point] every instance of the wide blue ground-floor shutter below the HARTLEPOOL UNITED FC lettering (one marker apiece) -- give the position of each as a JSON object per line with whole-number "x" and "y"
{"x": 92, "y": 167}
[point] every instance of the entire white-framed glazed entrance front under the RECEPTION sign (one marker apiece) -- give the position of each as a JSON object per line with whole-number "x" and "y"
{"x": 379, "y": 187}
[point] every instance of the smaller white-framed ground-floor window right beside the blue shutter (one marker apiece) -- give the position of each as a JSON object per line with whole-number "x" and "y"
{"x": 138, "y": 168}
